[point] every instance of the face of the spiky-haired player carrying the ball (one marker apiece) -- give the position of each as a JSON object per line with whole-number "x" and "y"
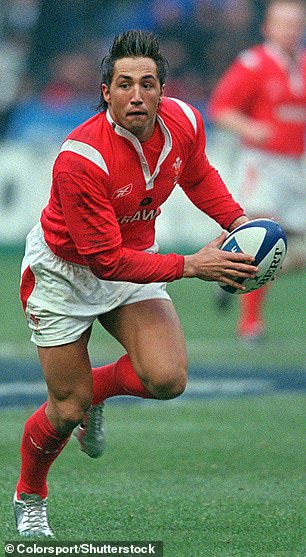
{"x": 134, "y": 95}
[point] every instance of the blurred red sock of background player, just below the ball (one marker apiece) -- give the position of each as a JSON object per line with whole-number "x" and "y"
{"x": 251, "y": 310}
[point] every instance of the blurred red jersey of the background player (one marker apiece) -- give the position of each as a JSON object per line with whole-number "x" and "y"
{"x": 266, "y": 86}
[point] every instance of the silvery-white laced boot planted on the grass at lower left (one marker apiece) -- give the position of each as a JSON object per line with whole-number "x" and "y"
{"x": 31, "y": 515}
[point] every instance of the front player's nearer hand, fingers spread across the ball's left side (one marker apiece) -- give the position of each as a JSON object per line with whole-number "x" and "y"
{"x": 212, "y": 264}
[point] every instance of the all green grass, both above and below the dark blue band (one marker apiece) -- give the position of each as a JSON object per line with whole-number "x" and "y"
{"x": 217, "y": 478}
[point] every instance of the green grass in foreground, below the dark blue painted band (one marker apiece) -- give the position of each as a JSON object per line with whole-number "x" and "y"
{"x": 208, "y": 478}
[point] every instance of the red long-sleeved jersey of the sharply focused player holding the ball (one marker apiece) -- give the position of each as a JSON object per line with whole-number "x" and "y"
{"x": 107, "y": 191}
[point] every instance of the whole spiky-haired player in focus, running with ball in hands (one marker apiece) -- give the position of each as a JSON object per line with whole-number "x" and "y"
{"x": 94, "y": 256}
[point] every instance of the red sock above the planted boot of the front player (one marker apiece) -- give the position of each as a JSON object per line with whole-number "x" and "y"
{"x": 40, "y": 446}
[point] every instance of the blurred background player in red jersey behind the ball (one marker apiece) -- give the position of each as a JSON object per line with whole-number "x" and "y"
{"x": 262, "y": 98}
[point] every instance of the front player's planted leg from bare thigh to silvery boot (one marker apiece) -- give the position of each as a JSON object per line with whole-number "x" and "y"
{"x": 67, "y": 370}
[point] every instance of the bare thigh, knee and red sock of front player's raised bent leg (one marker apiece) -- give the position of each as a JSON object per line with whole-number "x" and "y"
{"x": 156, "y": 361}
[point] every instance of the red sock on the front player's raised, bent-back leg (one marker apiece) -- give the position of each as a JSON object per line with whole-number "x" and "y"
{"x": 116, "y": 379}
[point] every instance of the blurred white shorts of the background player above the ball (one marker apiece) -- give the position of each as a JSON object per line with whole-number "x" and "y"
{"x": 274, "y": 186}
